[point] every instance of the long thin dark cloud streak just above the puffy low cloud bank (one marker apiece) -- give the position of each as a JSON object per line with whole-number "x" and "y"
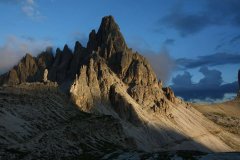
{"x": 209, "y": 60}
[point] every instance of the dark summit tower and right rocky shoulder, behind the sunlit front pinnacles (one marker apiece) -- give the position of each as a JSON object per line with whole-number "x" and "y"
{"x": 131, "y": 68}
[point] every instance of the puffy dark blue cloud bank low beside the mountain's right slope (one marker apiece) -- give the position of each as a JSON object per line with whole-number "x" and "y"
{"x": 209, "y": 87}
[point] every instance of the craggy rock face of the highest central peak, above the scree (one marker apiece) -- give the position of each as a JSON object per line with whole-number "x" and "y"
{"x": 111, "y": 62}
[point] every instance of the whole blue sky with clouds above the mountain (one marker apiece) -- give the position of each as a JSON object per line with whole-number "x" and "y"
{"x": 192, "y": 45}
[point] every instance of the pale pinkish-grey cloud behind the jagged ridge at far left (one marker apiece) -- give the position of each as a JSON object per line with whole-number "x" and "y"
{"x": 15, "y": 48}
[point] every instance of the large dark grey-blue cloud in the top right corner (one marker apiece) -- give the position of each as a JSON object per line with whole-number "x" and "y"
{"x": 213, "y": 12}
